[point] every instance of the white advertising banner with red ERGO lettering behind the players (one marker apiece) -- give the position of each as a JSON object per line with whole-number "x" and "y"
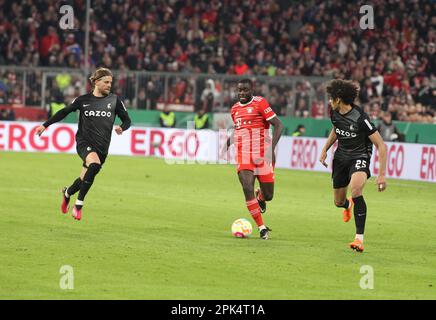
{"x": 404, "y": 160}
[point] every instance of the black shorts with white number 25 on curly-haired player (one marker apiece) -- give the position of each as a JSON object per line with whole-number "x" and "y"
{"x": 344, "y": 169}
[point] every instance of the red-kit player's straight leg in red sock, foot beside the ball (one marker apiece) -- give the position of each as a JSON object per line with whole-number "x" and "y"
{"x": 246, "y": 177}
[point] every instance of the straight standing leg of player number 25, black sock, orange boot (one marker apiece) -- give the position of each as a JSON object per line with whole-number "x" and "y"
{"x": 357, "y": 183}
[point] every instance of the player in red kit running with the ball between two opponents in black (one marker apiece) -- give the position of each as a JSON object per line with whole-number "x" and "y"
{"x": 255, "y": 155}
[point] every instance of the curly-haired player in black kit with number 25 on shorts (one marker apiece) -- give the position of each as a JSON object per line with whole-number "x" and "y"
{"x": 351, "y": 162}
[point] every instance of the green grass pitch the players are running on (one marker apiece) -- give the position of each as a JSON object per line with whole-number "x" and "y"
{"x": 156, "y": 231}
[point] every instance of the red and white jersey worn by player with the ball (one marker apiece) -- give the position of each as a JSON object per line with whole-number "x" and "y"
{"x": 252, "y": 126}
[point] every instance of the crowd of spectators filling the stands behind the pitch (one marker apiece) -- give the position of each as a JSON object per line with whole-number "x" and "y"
{"x": 394, "y": 63}
